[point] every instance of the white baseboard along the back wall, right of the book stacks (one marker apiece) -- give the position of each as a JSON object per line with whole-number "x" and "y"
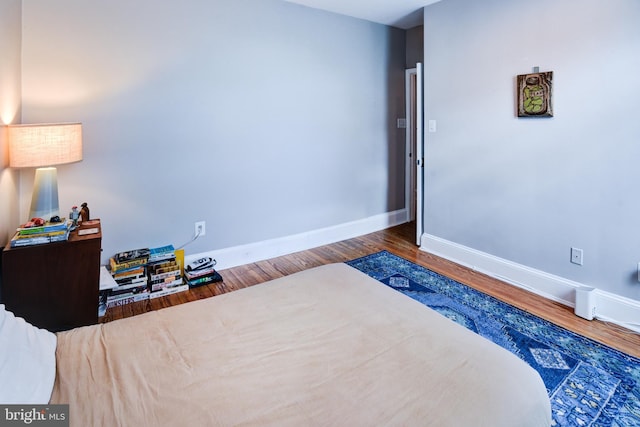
{"x": 258, "y": 251}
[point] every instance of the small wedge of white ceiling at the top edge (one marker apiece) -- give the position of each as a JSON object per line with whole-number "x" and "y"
{"x": 403, "y": 14}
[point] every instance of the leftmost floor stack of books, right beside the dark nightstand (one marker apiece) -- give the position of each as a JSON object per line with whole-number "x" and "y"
{"x": 129, "y": 270}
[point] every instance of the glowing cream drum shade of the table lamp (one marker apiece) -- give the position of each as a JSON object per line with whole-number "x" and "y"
{"x": 44, "y": 144}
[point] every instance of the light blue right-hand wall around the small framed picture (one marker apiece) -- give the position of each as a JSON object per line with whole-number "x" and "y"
{"x": 527, "y": 190}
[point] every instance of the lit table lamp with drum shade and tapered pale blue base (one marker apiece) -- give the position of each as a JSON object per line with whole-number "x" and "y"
{"x": 43, "y": 146}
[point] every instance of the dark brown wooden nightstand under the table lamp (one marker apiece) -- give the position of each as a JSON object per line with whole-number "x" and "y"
{"x": 55, "y": 285}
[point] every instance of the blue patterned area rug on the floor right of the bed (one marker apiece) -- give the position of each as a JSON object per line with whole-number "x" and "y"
{"x": 589, "y": 384}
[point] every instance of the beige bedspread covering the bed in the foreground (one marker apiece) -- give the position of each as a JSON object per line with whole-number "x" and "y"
{"x": 325, "y": 347}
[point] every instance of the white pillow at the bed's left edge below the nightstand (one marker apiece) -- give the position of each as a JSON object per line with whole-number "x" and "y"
{"x": 27, "y": 361}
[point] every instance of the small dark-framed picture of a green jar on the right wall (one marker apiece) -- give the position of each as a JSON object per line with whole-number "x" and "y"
{"x": 535, "y": 96}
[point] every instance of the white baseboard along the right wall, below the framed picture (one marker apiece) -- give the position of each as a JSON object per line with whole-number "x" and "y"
{"x": 609, "y": 307}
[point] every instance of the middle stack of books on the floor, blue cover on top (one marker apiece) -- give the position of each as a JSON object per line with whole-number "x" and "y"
{"x": 164, "y": 272}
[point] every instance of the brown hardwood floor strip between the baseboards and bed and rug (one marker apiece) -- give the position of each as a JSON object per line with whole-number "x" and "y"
{"x": 400, "y": 241}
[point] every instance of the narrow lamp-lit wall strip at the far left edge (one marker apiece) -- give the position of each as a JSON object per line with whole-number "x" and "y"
{"x": 10, "y": 37}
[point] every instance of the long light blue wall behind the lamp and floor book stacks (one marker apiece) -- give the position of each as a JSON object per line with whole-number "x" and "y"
{"x": 261, "y": 117}
